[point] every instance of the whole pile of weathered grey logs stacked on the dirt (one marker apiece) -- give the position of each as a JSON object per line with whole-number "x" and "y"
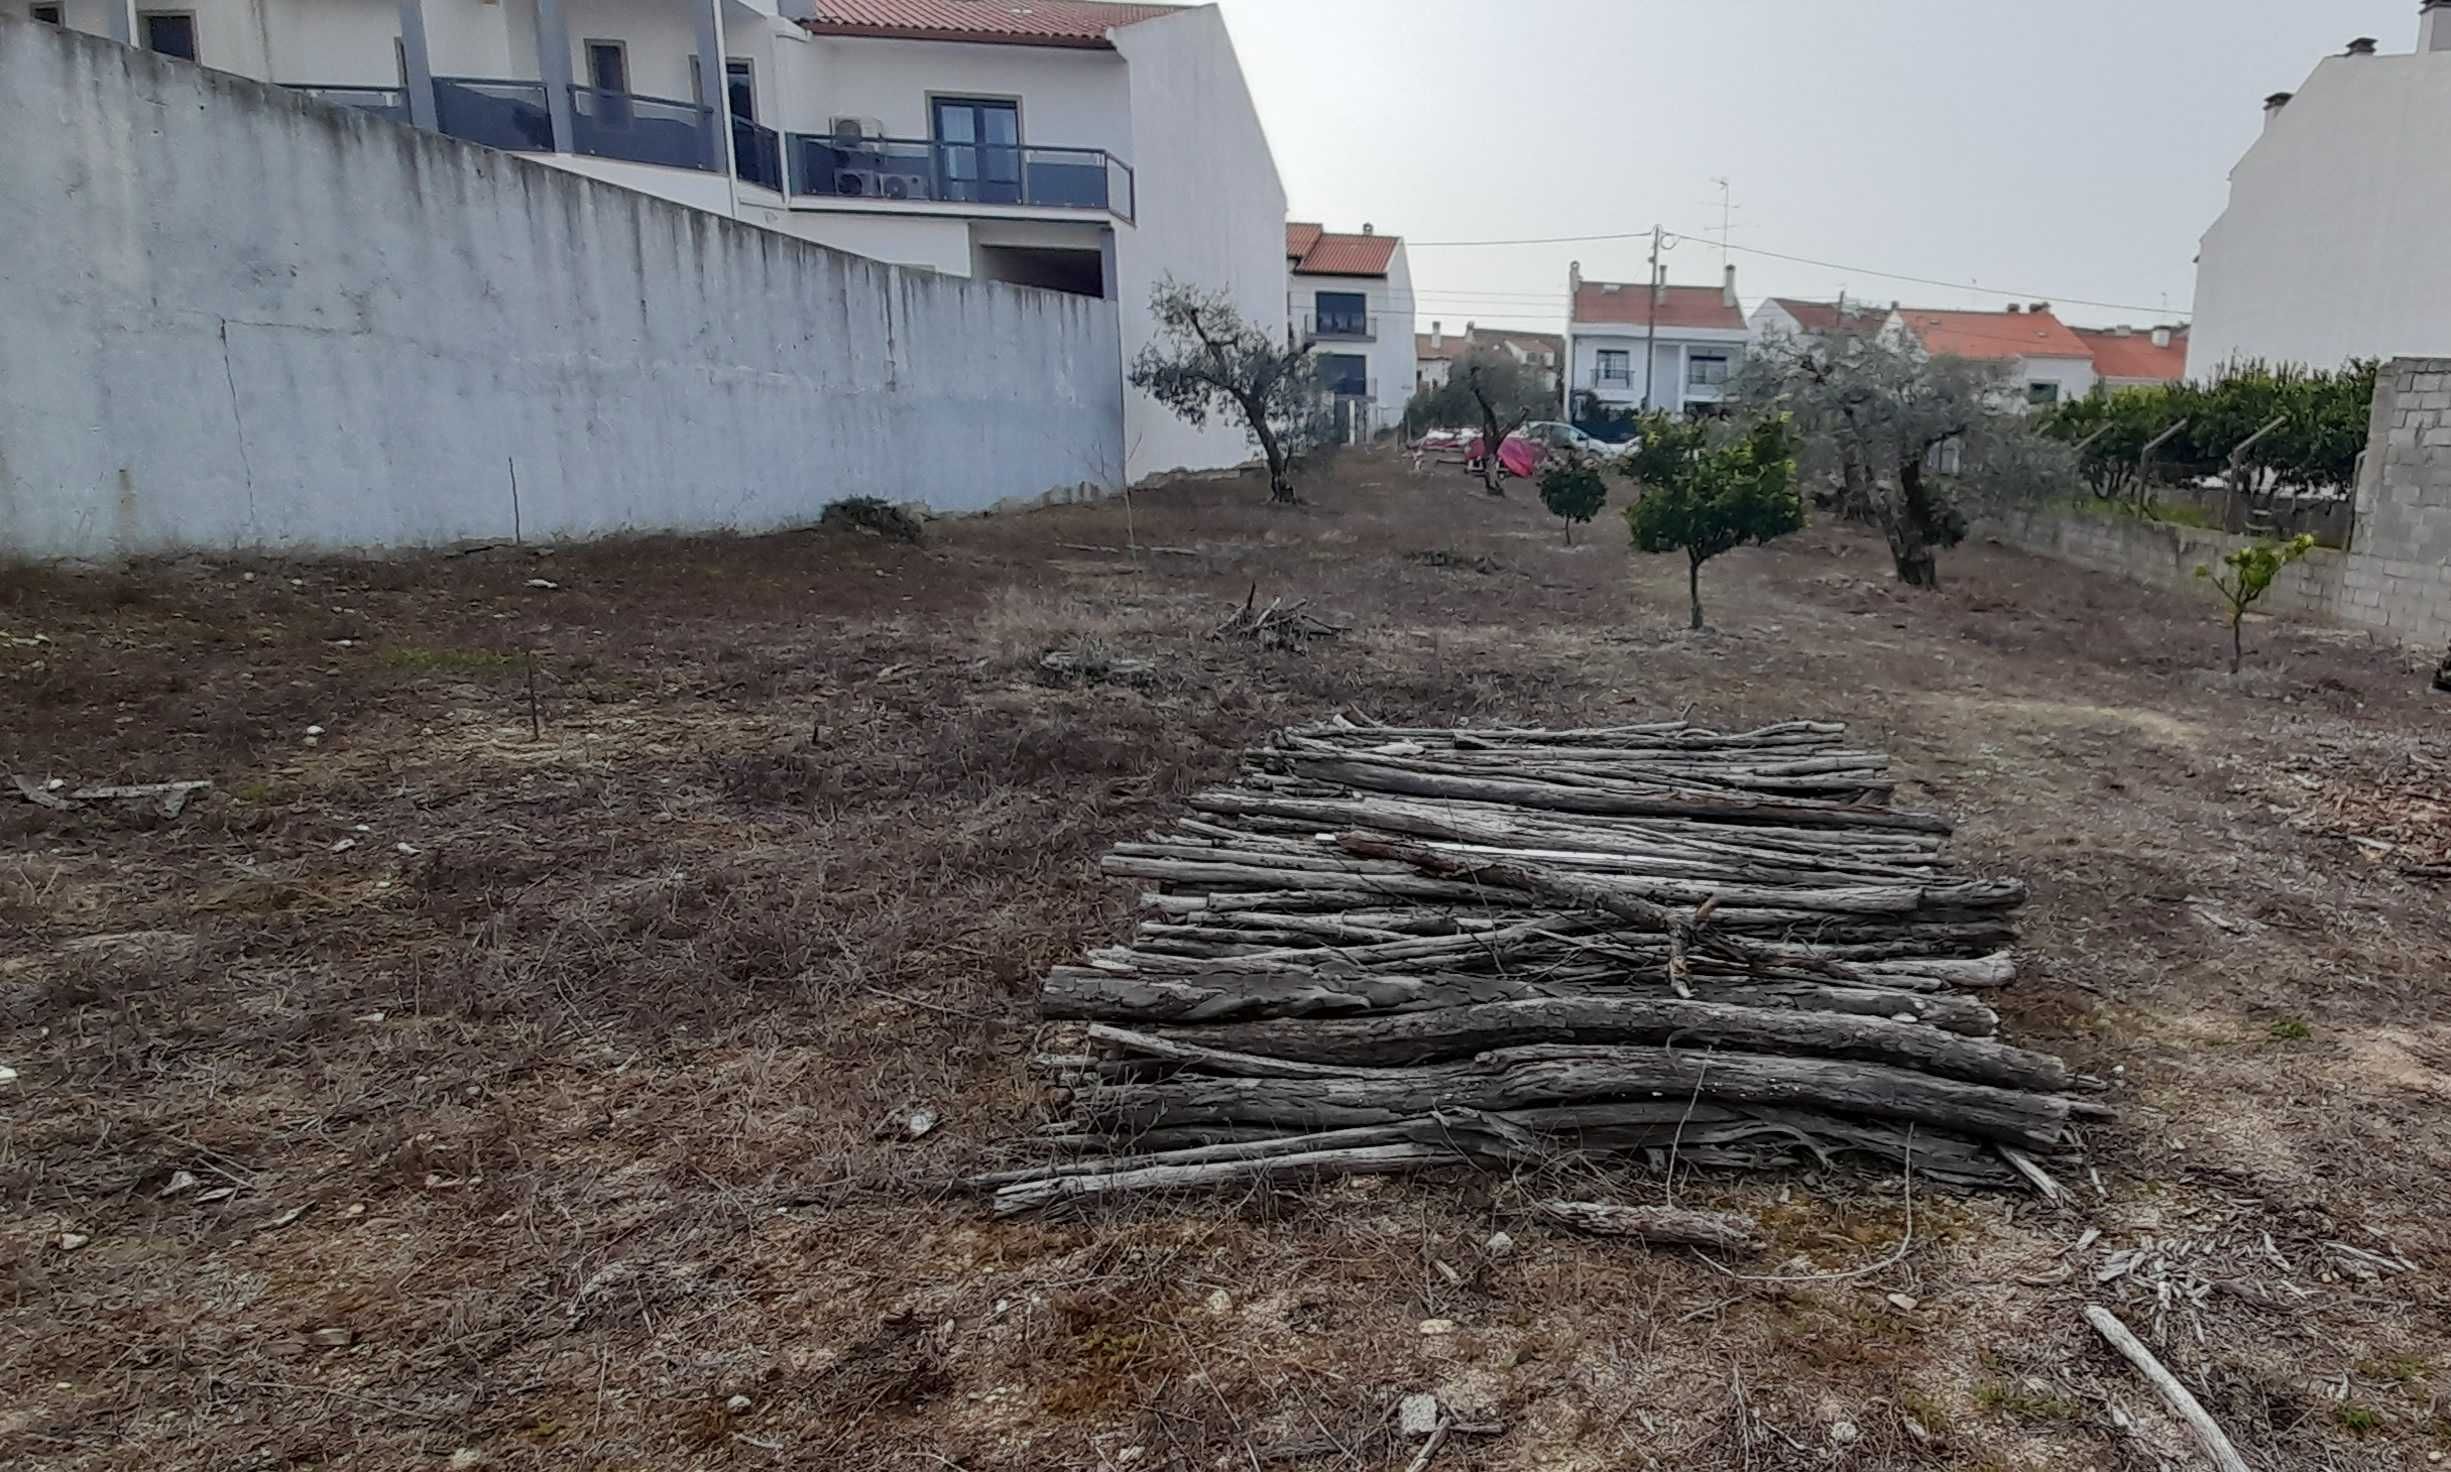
{"x": 1393, "y": 949}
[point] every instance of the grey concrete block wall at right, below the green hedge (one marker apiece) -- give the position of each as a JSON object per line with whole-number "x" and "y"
{"x": 2396, "y": 577}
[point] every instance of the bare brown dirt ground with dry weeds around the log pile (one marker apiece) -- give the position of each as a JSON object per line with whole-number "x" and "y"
{"x": 438, "y": 1096}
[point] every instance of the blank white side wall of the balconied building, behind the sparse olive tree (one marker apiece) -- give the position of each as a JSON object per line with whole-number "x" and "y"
{"x": 1212, "y": 212}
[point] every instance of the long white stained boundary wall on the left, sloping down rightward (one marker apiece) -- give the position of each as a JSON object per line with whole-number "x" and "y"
{"x": 237, "y": 320}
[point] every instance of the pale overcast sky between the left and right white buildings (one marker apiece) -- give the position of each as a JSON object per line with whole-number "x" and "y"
{"x": 2040, "y": 148}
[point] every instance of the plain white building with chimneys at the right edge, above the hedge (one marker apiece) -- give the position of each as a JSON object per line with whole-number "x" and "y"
{"x": 2332, "y": 244}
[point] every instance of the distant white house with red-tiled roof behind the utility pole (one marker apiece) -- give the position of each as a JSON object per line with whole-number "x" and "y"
{"x": 1653, "y": 349}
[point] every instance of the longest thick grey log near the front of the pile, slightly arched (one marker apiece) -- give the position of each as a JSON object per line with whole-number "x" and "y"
{"x": 1518, "y": 1079}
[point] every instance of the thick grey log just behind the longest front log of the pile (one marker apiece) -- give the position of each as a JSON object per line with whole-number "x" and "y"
{"x": 1460, "y": 1032}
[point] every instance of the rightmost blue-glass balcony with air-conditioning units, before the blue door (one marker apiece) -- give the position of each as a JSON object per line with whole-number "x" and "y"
{"x": 915, "y": 170}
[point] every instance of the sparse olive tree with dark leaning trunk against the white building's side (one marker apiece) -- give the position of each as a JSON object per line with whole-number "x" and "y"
{"x": 1210, "y": 361}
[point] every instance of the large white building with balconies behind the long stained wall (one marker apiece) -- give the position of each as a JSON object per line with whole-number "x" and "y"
{"x": 1080, "y": 146}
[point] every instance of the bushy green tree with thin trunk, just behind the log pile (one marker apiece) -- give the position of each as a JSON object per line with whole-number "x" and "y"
{"x": 1707, "y": 498}
